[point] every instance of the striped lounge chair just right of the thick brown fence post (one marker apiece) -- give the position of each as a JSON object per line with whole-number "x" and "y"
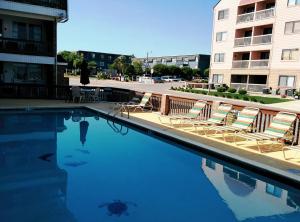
{"x": 193, "y": 114}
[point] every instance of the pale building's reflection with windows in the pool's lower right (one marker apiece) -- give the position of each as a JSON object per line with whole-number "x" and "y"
{"x": 248, "y": 197}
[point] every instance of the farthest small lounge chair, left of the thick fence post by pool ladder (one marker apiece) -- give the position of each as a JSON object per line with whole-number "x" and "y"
{"x": 143, "y": 105}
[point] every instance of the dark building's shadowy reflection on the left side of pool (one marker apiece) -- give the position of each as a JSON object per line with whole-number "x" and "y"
{"x": 32, "y": 186}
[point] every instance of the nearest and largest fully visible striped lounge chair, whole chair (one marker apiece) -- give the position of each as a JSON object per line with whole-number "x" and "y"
{"x": 278, "y": 130}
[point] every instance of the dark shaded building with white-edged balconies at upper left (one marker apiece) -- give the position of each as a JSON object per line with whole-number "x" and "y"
{"x": 28, "y": 42}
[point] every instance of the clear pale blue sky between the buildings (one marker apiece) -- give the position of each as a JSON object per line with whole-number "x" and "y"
{"x": 165, "y": 27}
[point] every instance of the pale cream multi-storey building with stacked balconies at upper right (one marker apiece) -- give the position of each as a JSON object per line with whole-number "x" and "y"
{"x": 256, "y": 44}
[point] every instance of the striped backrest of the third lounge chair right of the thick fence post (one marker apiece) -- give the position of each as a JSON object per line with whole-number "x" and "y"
{"x": 246, "y": 118}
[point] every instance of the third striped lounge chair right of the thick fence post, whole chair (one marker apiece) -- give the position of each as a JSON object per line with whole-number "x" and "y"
{"x": 244, "y": 123}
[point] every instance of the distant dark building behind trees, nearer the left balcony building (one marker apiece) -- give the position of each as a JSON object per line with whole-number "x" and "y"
{"x": 103, "y": 60}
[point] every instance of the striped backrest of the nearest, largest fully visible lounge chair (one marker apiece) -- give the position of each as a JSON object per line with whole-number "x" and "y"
{"x": 281, "y": 124}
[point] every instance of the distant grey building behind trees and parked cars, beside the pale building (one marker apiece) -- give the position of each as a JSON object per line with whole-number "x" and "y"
{"x": 198, "y": 61}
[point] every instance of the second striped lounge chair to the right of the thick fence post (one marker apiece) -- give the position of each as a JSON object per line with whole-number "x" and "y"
{"x": 219, "y": 117}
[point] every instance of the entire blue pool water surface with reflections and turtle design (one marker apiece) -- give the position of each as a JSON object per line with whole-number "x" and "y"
{"x": 71, "y": 165}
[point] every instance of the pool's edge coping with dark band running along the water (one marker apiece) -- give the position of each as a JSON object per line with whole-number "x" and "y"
{"x": 258, "y": 167}
